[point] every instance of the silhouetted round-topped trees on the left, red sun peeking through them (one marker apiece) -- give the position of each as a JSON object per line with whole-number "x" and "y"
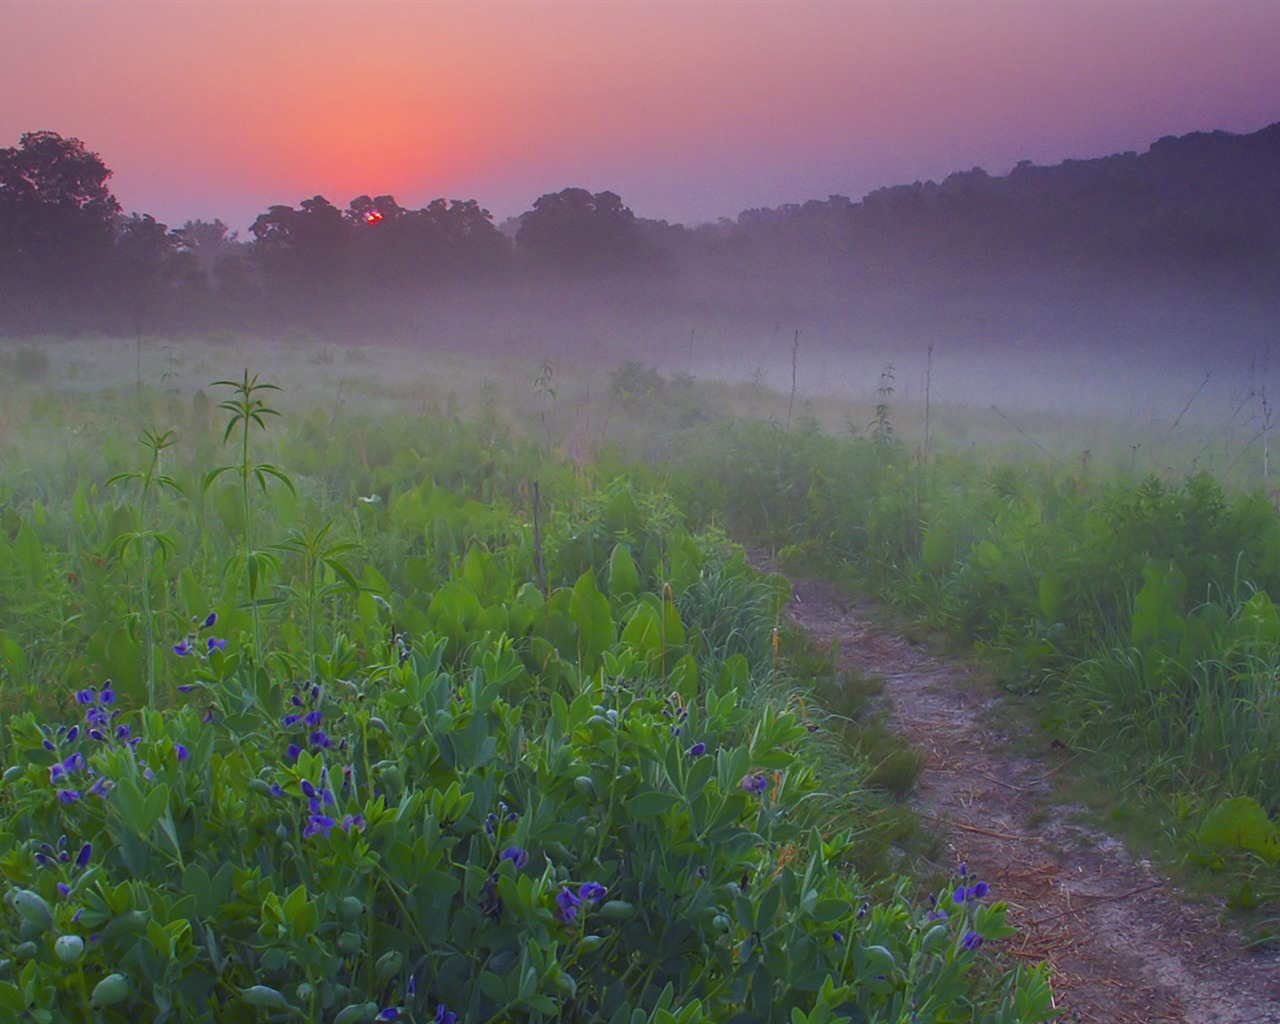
{"x": 72, "y": 260}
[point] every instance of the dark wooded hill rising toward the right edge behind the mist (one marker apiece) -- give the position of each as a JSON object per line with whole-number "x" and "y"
{"x": 1206, "y": 203}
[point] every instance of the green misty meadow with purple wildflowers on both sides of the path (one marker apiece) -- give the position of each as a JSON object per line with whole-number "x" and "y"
{"x": 447, "y": 694}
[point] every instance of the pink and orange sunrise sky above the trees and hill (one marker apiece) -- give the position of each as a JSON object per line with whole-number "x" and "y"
{"x": 689, "y": 111}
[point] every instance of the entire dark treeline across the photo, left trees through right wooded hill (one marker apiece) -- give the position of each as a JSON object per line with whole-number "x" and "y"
{"x": 1204, "y": 208}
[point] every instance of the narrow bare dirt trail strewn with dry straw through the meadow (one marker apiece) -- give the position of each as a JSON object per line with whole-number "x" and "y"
{"x": 1124, "y": 947}
